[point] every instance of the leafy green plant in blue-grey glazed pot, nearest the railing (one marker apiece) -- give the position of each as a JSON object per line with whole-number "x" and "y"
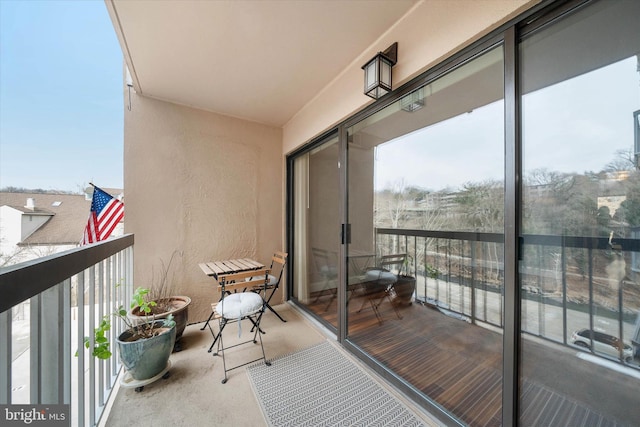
{"x": 144, "y": 348}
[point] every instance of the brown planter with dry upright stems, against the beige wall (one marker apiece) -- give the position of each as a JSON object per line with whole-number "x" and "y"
{"x": 167, "y": 303}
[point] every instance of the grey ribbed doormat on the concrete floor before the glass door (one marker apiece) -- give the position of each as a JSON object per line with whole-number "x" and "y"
{"x": 320, "y": 386}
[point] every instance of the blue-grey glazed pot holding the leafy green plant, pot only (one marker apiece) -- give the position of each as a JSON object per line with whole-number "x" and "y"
{"x": 146, "y": 358}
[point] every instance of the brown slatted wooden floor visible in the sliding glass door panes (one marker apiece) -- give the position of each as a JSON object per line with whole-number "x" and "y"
{"x": 459, "y": 366}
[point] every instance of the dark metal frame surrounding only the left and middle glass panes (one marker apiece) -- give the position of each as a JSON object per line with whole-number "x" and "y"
{"x": 511, "y": 303}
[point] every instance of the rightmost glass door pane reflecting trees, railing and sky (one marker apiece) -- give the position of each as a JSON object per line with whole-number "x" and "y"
{"x": 579, "y": 278}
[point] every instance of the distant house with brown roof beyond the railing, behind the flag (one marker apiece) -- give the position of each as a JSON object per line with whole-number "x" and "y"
{"x": 33, "y": 225}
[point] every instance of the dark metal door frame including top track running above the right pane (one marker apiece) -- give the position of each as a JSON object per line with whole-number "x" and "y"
{"x": 509, "y": 35}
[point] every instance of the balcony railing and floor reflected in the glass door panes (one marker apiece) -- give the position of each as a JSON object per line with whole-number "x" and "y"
{"x": 448, "y": 344}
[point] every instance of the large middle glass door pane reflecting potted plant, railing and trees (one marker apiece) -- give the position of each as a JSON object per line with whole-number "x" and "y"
{"x": 425, "y": 262}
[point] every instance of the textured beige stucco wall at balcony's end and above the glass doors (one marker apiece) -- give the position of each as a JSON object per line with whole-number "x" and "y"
{"x": 211, "y": 187}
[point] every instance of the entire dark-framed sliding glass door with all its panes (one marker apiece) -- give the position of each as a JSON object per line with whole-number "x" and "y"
{"x": 481, "y": 248}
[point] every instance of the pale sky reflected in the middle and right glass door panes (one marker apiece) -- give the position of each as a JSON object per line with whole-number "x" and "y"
{"x": 572, "y": 127}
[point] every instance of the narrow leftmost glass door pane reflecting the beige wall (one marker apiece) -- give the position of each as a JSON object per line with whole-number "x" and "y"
{"x": 316, "y": 229}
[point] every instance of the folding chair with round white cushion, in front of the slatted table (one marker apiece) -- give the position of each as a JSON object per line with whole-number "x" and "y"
{"x": 238, "y": 306}
